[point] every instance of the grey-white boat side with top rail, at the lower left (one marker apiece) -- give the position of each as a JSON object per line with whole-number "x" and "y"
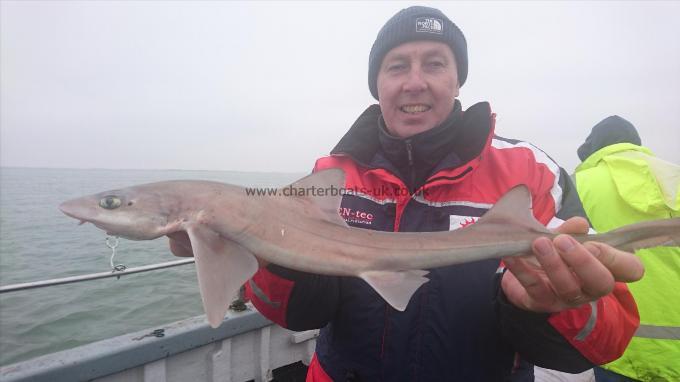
{"x": 245, "y": 347}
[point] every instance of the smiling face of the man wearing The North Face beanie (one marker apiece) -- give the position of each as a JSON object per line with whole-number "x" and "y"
{"x": 417, "y": 85}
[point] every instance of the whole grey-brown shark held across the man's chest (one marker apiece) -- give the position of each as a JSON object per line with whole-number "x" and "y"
{"x": 230, "y": 228}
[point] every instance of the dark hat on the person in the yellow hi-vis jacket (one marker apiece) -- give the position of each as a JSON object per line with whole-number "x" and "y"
{"x": 607, "y": 132}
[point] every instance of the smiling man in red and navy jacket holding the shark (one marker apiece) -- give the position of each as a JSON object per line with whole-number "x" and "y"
{"x": 418, "y": 162}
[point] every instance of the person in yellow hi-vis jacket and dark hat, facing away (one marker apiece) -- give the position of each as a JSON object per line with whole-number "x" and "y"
{"x": 621, "y": 182}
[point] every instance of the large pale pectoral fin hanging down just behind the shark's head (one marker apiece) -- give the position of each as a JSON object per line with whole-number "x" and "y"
{"x": 222, "y": 266}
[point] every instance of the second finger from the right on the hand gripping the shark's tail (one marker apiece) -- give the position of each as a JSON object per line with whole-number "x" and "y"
{"x": 596, "y": 280}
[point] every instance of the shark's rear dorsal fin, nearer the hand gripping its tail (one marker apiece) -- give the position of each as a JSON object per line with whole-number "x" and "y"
{"x": 513, "y": 208}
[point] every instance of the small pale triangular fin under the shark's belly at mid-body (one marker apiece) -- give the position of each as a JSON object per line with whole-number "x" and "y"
{"x": 396, "y": 287}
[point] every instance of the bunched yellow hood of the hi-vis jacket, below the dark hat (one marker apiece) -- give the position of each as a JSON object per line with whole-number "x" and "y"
{"x": 647, "y": 184}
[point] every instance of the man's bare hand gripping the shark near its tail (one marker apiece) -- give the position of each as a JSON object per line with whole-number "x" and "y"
{"x": 564, "y": 273}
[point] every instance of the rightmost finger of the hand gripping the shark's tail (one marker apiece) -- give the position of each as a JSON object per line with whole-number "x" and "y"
{"x": 624, "y": 266}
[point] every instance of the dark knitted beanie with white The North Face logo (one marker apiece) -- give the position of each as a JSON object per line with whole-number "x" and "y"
{"x": 413, "y": 24}
